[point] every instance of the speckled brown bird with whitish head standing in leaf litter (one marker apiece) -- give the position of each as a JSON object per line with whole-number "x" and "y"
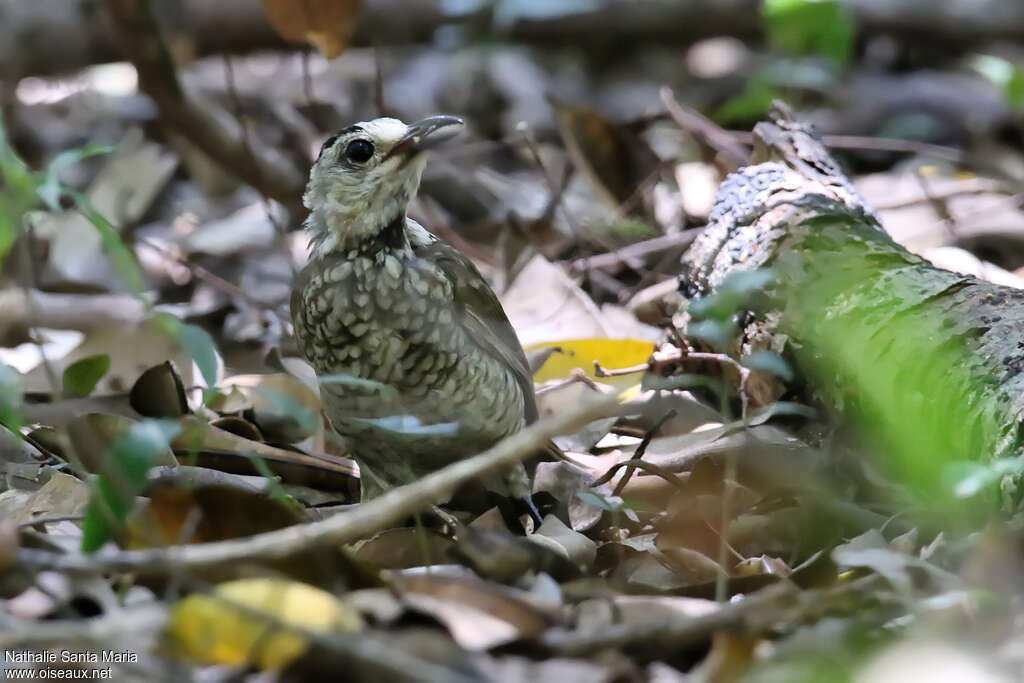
{"x": 418, "y": 363}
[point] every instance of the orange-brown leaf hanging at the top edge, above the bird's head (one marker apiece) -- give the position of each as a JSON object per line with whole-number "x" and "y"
{"x": 327, "y": 25}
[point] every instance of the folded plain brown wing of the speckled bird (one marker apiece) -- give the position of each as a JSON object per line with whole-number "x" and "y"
{"x": 482, "y": 315}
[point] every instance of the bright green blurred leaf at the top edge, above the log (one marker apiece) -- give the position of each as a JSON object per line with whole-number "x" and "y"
{"x": 810, "y": 27}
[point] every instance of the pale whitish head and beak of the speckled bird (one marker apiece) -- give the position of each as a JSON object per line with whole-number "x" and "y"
{"x": 366, "y": 176}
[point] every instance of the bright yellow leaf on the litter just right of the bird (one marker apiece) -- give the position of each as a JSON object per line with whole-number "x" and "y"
{"x": 573, "y": 354}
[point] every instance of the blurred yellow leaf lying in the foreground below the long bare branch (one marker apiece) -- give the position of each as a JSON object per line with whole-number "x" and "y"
{"x": 222, "y": 628}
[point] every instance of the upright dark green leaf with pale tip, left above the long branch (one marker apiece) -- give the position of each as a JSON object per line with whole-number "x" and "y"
{"x": 123, "y": 478}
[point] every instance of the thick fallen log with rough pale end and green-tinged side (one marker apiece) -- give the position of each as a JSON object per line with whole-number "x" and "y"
{"x": 926, "y": 362}
